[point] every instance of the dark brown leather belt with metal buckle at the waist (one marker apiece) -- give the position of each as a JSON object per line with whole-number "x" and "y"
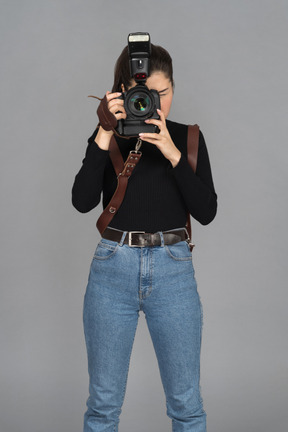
{"x": 143, "y": 239}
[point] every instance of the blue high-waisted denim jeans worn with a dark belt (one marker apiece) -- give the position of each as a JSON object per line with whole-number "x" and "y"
{"x": 160, "y": 281}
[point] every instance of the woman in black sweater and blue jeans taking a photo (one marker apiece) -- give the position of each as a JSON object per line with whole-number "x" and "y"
{"x": 158, "y": 279}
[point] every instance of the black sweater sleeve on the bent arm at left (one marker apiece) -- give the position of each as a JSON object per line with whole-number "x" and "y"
{"x": 88, "y": 184}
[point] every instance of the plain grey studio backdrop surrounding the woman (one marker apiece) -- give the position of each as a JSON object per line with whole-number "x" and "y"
{"x": 231, "y": 68}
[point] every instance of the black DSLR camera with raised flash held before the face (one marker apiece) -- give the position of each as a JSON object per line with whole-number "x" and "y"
{"x": 140, "y": 103}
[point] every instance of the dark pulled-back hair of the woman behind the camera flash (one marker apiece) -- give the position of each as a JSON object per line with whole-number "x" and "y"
{"x": 160, "y": 60}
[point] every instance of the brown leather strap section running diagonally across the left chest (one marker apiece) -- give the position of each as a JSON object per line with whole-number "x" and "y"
{"x": 123, "y": 172}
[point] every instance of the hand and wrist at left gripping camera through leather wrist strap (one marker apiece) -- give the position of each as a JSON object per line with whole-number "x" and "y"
{"x": 116, "y": 107}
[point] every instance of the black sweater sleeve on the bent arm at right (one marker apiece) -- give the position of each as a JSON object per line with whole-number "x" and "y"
{"x": 197, "y": 188}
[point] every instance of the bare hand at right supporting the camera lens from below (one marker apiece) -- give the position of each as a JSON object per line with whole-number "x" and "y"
{"x": 162, "y": 140}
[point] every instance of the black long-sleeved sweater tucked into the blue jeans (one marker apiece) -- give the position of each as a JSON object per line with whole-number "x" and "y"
{"x": 158, "y": 196}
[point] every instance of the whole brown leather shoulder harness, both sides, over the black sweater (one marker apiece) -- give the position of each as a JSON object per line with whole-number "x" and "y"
{"x": 124, "y": 171}
